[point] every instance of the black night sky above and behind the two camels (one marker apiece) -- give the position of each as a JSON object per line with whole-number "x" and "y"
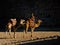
{"x": 46, "y": 10}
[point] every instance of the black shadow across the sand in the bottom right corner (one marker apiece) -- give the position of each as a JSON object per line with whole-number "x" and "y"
{"x": 45, "y": 42}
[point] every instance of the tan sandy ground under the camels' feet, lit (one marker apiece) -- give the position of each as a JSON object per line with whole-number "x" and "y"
{"x": 6, "y": 40}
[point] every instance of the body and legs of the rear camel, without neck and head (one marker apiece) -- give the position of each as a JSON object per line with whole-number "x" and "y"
{"x": 11, "y": 23}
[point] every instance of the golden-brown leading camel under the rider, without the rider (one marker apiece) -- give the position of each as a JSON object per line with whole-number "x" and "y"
{"x": 32, "y": 26}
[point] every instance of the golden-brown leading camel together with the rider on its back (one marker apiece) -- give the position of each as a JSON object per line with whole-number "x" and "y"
{"x": 32, "y": 25}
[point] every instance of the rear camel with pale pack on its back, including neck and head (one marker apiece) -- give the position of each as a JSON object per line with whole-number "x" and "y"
{"x": 11, "y": 25}
